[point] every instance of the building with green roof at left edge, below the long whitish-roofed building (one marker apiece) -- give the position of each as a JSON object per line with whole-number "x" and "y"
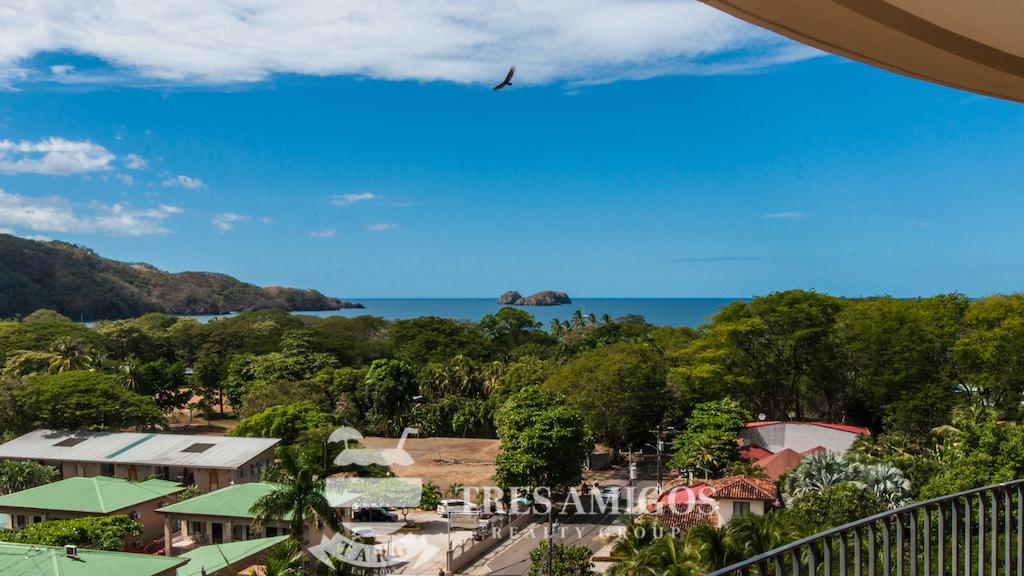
{"x": 75, "y": 498}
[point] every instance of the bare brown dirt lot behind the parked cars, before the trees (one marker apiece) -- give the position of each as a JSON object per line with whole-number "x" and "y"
{"x": 470, "y": 462}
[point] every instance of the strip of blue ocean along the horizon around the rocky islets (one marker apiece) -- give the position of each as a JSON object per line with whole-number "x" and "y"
{"x": 663, "y": 312}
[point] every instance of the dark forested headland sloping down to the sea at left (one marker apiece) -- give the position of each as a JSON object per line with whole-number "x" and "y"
{"x": 78, "y": 283}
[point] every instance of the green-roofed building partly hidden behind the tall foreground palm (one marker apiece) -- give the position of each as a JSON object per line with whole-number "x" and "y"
{"x": 224, "y": 516}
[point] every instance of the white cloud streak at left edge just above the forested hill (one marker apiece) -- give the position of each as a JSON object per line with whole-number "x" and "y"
{"x": 55, "y": 214}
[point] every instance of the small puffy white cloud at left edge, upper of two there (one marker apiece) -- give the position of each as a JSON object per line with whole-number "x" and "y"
{"x": 54, "y": 156}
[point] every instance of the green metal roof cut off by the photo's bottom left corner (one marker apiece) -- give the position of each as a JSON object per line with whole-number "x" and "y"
{"x": 51, "y": 561}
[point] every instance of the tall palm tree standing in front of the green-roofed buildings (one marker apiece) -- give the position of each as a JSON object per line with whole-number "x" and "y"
{"x": 300, "y": 498}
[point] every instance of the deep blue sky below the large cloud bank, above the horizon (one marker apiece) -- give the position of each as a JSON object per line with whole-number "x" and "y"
{"x": 692, "y": 180}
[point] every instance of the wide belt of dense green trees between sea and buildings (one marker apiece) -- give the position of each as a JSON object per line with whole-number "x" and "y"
{"x": 937, "y": 380}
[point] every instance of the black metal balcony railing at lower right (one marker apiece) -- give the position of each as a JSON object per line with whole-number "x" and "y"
{"x": 972, "y": 533}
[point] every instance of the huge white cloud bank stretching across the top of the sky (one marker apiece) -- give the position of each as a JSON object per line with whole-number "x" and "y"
{"x": 465, "y": 42}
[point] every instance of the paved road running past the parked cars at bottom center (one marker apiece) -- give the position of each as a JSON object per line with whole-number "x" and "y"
{"x": 513, "y": 558}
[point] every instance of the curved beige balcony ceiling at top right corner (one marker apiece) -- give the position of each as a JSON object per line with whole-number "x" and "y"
{"x": 976, "y": 46}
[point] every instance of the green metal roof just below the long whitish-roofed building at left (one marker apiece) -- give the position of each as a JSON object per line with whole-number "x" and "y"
{"x": 92, "y": 496}
